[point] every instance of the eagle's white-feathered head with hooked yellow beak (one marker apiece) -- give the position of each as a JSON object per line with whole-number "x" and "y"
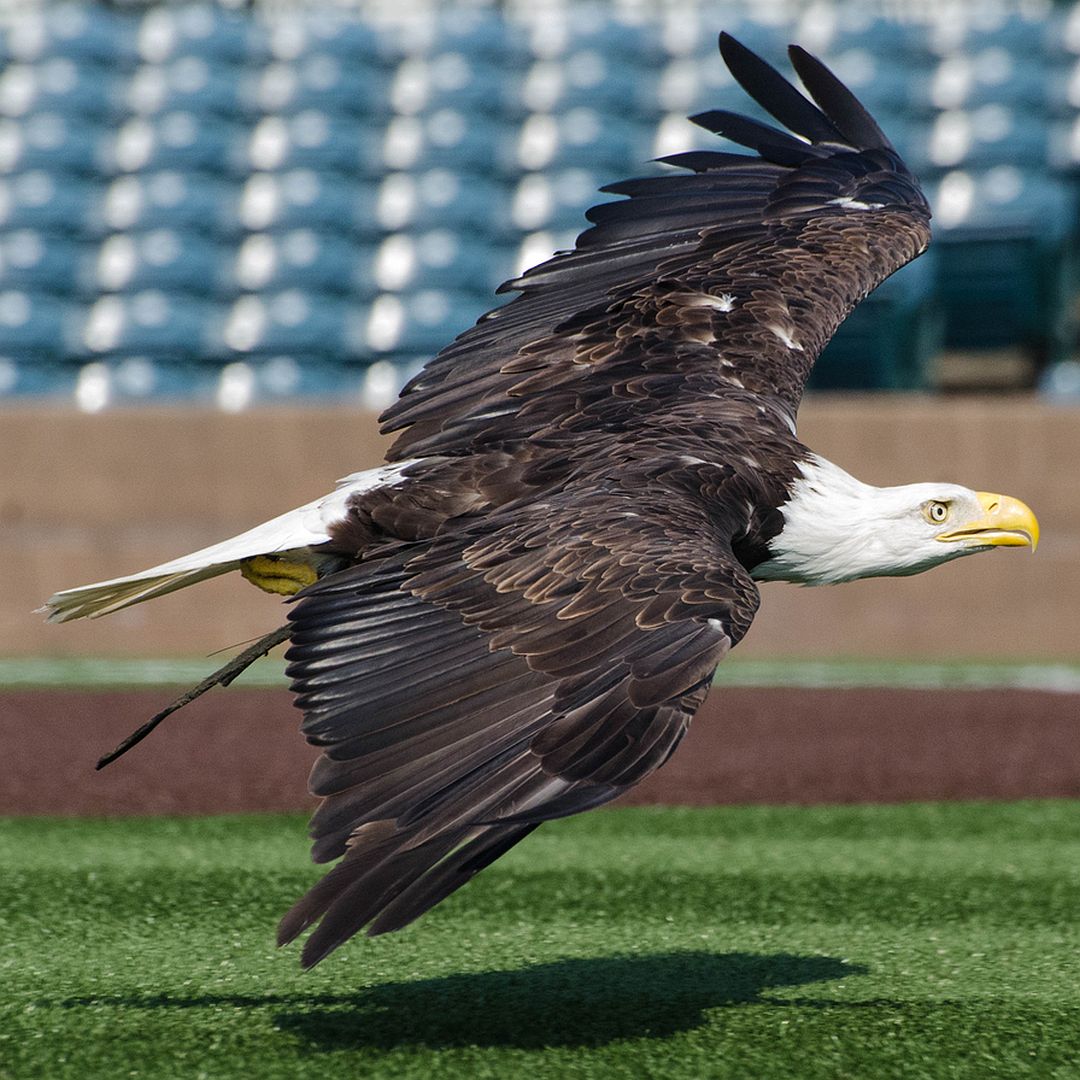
{"x": 838, "y": 529}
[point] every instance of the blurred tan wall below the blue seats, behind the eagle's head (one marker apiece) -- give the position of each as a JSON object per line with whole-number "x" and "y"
{"x": 85, "y": 498}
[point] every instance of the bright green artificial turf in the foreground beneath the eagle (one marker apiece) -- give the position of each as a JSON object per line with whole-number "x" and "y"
{"x": 752, "y": 943}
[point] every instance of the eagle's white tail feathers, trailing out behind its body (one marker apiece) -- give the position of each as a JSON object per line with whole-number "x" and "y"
{"x": 299, "y": 531}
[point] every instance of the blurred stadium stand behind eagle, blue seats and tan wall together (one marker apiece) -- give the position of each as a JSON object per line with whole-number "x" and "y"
{"x": 229, "y": 233}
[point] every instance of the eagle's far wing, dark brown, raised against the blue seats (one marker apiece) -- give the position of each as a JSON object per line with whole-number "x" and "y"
{"x": 790, "y": 240}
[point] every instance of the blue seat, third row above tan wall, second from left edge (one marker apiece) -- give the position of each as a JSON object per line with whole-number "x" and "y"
{"x": 167, "y": 260}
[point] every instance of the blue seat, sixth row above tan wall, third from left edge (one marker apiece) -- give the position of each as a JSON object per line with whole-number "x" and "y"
{"x": 318, "y": 82}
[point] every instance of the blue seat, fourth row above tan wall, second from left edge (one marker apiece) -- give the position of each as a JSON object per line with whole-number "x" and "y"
{"x": 169, "y": 199}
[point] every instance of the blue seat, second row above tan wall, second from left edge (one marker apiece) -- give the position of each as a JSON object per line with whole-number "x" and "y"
{"x": 151, "y": 323}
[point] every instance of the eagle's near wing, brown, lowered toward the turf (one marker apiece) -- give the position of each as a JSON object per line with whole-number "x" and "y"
{"x": 533, "y": 666}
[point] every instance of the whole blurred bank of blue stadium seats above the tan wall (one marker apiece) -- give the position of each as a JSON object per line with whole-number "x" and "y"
{"x": 237, "y": 206}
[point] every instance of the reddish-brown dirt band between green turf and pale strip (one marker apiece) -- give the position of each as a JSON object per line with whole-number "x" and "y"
{"x": 240, "y": 750}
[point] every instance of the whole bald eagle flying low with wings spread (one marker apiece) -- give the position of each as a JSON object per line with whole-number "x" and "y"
{"x": 516, "y": 618}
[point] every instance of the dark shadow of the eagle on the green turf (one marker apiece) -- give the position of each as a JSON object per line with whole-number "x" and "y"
{"x": 574, "y": 1003}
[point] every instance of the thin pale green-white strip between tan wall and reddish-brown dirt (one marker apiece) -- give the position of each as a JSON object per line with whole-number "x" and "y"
{"x": 92, "y": 673}
